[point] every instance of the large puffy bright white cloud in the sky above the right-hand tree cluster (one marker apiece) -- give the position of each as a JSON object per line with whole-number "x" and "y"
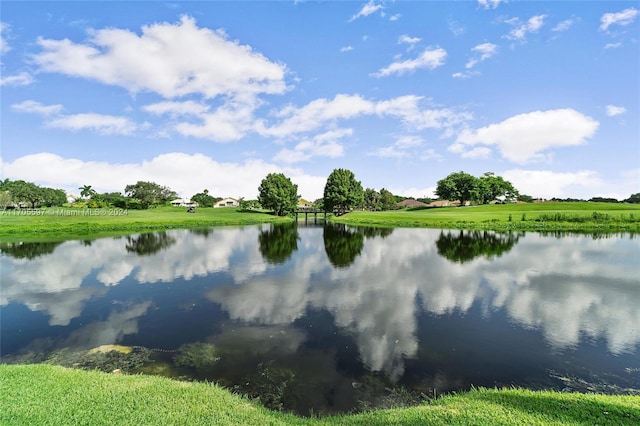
{"x": 526, "y": 137}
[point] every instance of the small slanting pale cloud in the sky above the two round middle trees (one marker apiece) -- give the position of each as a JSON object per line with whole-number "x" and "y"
{"x": 323, "y": 145}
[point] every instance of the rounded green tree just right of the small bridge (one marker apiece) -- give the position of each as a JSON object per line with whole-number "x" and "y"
{"x": 342, "y": 191}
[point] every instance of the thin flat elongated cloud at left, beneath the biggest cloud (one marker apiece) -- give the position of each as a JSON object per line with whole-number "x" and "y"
{"x": 99, "y": 123}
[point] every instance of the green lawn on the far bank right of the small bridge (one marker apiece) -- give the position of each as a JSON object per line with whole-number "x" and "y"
{"x": 574, "y": 216}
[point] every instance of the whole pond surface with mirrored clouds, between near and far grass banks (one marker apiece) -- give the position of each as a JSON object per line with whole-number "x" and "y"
{"x": 328, "y": 319}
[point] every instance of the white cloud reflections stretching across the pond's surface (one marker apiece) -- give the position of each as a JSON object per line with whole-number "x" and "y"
{"x": 569, "y": 288}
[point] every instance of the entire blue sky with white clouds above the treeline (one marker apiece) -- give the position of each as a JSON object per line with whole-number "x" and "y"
{"x": 218, "y": 94}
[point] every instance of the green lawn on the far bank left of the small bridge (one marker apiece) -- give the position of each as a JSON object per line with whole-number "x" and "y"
{"x": 69, "y": 223}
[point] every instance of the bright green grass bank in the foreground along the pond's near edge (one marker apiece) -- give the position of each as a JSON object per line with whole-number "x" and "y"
{"x": 51, "y": 395}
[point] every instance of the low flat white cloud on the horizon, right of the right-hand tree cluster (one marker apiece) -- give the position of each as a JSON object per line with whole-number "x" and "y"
{"x": 549, "y": 184}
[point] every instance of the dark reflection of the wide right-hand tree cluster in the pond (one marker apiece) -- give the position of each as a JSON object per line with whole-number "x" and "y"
{"x": 467, "y": 245}
